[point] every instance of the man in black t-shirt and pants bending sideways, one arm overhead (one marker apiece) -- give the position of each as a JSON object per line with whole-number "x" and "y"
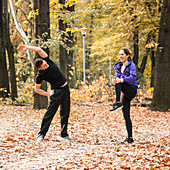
{"x": 59, "y": 94}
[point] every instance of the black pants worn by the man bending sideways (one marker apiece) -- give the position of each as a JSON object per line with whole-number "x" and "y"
{"x": 60, "y": 98}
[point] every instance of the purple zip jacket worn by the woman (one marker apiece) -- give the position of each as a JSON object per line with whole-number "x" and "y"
{"x": 129, "y": 74}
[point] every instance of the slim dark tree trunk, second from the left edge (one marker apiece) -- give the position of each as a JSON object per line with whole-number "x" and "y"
{"x": 10, "y": 51}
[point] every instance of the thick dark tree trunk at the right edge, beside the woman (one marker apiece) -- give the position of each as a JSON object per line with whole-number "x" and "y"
{"x": 161, "y": 94}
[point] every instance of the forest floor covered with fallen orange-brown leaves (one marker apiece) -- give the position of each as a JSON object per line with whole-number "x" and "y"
{"x": 97, "y": 134}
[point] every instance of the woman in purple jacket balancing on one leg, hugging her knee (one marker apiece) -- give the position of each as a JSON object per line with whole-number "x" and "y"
{"x": 125, "y": 87}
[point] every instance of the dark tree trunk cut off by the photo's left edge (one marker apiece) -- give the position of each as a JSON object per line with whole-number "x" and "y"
{"x": 4, "y": 81}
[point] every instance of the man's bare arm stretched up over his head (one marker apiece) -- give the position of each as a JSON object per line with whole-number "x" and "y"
{"x": 42, "y": 53}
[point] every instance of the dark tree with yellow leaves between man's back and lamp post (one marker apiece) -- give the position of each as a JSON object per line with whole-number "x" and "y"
{"x": 67, "y": 36}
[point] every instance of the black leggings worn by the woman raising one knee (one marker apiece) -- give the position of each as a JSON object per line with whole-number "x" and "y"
{"x": 124, "y": 94}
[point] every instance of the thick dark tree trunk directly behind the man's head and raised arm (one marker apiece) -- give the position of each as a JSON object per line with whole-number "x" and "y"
{"x": 43, "y": 26}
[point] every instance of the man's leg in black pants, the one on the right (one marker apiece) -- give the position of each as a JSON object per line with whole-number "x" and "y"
{"x": 65, "y": 111}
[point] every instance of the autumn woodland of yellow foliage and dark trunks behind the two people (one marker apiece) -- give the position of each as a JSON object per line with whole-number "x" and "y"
{"x": 56, "y": 26}
